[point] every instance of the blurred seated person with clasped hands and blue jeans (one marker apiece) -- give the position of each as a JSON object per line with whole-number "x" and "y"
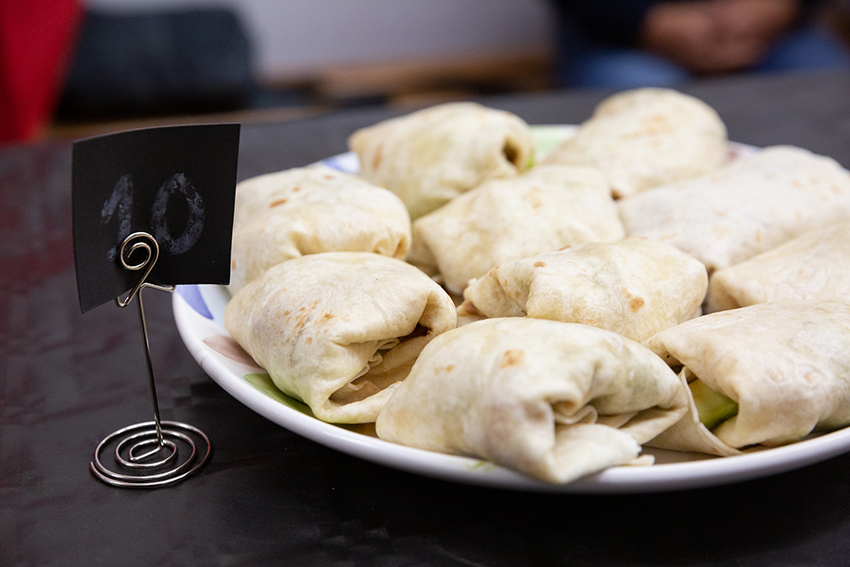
{"x": 633, "y": 43}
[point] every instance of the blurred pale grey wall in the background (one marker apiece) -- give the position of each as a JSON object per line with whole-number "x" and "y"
{"x": 293, "y": 38}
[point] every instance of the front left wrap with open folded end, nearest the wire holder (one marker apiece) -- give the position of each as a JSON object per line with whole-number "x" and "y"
{"x": 339, "y": 330}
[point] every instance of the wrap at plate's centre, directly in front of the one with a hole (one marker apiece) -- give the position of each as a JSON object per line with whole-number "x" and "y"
{"x": 543, "y": 210}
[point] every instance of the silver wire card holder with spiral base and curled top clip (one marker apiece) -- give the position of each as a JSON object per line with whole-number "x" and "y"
{"x": 154, "y": 453}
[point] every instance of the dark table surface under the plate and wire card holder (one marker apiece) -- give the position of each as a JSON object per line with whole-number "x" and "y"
{"x": 269, "y": 496}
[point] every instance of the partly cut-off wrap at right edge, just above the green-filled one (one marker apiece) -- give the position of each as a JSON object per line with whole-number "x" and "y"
{"x": 814, "y": 265}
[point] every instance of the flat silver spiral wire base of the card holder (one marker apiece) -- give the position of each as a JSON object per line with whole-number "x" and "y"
{"x": 160, "y": 464}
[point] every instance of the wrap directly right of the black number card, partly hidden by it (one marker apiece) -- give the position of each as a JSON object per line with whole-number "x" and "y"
{"x": 308, "y": 210}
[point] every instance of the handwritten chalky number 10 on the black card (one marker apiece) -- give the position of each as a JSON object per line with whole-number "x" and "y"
{"x": 120, "y": 206}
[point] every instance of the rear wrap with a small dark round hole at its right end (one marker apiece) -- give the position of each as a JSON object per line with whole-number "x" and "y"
{"x": 433, "y": 155}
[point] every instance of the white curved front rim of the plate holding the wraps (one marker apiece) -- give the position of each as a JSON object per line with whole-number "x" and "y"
{"x": 661, "y": 477}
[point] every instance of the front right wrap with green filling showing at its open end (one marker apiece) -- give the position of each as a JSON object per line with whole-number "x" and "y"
{"x": 763, "y": 375}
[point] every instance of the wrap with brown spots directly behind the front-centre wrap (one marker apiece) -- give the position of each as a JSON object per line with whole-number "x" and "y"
{"x": 635, "y": 287}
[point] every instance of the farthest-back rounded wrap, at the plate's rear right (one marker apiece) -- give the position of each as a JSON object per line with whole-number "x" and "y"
{"x": 647, "y": 137}
